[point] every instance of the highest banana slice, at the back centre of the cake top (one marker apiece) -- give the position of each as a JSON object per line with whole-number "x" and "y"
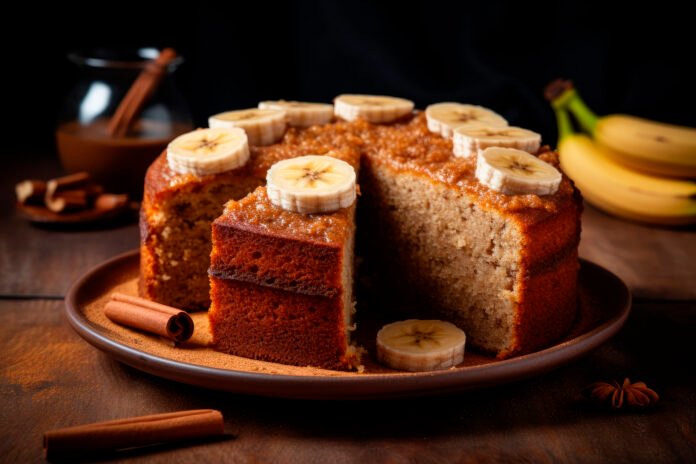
{"x": 372, "y": 108}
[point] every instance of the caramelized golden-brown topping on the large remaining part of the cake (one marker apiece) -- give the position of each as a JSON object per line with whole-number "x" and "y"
{"x": 406, "y": 145}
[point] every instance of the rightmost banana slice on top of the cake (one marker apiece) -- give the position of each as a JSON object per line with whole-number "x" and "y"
{"x": 513, "y": 172}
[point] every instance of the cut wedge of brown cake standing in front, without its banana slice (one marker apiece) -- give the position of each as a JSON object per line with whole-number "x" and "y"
{"x": 282, "y": 282}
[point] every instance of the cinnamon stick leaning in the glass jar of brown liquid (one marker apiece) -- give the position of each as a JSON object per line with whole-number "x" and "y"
{"x": 141, "y": 90}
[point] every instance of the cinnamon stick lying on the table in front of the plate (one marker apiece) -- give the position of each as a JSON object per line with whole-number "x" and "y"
{"x": 74, "y": 442}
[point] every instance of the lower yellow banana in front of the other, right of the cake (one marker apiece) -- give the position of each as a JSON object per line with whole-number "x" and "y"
{"x": 619, "y": 190}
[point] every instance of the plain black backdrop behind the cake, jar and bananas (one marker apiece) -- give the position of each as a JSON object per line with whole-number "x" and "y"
{"x": 498, "y": 54}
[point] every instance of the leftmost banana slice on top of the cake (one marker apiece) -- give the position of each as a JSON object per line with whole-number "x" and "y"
{"x": 208, "y": 151}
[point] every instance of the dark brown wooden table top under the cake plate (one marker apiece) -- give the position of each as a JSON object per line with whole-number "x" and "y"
{"x": 50, "y": 377}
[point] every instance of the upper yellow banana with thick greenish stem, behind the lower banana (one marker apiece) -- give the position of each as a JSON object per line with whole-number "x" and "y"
{"x": 649, "y": 146}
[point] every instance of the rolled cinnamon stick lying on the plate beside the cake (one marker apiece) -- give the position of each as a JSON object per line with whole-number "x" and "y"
{"x": 149, "y": 316}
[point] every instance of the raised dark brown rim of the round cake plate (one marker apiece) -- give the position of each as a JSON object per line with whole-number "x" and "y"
{"x": 370, "y": 386}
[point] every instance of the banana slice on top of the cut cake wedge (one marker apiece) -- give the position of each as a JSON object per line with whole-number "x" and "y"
{"x": 311, "y": 184}
